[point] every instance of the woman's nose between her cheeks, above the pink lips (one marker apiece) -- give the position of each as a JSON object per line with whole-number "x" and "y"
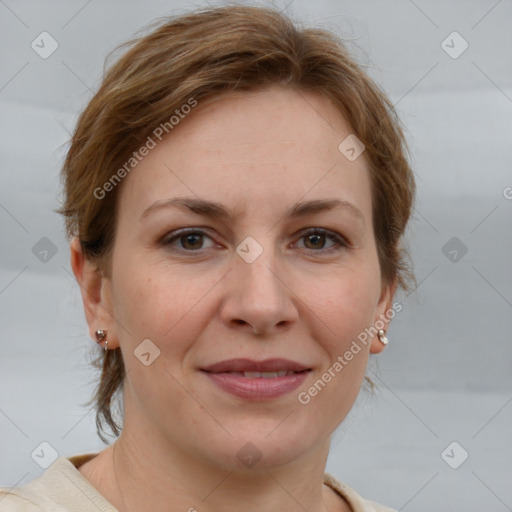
{"x": 258, "y": 298}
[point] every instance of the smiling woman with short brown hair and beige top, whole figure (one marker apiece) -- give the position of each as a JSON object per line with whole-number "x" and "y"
{"x": 235, "y": 197}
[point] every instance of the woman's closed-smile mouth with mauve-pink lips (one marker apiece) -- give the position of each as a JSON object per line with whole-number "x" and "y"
{"x": 257, "y": 380}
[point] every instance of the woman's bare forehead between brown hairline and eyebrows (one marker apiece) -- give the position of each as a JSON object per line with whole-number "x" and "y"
{"x": 265, "y": 149}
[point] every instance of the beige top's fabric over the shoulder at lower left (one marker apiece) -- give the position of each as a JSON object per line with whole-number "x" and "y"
{"x": 61, "y": 488}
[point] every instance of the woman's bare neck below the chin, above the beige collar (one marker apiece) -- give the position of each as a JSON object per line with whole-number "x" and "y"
{"x": 148, "y": 477}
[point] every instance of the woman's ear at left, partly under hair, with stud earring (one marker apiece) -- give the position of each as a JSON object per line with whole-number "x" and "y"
{"x": 96, "y": 292}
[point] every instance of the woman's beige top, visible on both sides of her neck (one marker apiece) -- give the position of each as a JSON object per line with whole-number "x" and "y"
{"x": 62, "y": 488}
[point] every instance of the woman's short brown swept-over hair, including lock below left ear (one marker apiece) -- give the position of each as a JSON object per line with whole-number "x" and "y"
{"x": 200, "y": 55}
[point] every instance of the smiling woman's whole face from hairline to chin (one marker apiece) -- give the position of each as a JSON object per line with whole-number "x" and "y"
{"x": 256, "y": 279}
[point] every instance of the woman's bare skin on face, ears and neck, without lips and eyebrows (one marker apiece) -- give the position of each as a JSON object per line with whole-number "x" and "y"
{"x": 302, "y": 299}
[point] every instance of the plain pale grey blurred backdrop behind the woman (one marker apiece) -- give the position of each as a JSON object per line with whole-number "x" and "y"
{"x": 446, "y": 374}
